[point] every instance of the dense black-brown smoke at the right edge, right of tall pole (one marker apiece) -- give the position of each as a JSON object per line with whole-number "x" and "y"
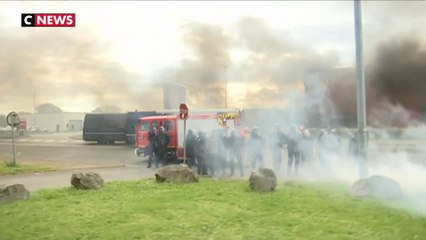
{"x": 398, "y": 81}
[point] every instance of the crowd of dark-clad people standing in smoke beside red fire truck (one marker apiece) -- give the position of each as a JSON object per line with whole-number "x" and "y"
{"x": 224, "y": 151}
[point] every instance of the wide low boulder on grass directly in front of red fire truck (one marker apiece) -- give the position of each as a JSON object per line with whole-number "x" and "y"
{"x": 176, "y": 173}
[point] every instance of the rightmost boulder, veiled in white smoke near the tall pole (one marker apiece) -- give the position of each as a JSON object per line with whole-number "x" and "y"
{"x": 377, "y": 187}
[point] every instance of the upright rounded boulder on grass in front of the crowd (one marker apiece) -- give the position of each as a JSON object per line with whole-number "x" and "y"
{"x": 264, "y": 180}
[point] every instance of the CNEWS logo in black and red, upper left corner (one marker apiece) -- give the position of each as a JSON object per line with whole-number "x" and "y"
{"x": 48, "y": 19}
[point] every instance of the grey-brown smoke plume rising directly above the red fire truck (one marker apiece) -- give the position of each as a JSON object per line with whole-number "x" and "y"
{"x": 205, "y": 75}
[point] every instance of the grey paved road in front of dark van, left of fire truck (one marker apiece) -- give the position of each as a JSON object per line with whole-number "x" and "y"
{"x": 67, "y": 149}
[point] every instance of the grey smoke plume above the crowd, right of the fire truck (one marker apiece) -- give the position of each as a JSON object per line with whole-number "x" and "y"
{"x": 278, "y": 64}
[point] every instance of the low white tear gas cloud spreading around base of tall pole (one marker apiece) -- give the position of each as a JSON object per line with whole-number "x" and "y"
{"x": 399, "y": 166}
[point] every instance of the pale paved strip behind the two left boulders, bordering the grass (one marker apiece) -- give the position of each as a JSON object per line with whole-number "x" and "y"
{"x": 60, "y": 179}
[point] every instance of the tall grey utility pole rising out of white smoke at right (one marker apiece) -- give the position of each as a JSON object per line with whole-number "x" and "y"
{"x": 361, "y": 105}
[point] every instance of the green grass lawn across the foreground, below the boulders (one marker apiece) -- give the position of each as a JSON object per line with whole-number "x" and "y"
{"x": 210, "y": 209}
